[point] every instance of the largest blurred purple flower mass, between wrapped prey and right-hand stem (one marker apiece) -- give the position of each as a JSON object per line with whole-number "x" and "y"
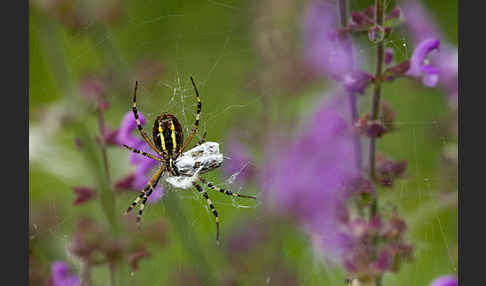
{"x": 308, "y": 179}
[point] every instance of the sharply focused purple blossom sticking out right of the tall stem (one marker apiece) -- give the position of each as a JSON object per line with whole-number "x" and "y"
{"x": 420, "y": 66}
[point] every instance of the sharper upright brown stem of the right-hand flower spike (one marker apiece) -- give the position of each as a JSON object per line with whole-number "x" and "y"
{"x": 375, "y": 108}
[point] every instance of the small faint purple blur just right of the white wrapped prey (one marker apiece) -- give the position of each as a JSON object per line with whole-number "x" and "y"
{"x": 239, "y": 161}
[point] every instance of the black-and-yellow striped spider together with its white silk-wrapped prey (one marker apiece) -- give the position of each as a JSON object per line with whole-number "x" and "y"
{"x": 168, "y": 143}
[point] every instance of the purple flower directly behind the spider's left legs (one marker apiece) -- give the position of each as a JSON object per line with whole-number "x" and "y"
{"x": 143, "y": 165}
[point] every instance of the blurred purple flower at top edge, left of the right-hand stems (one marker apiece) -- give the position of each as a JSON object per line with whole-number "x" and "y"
{"x": 328, "y": 51}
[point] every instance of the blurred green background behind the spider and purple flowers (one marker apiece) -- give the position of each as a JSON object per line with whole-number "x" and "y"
{"x": 238, "y": 52}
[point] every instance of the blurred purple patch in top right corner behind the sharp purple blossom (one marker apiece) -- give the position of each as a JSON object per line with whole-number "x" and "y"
{"x": 421, "y": 25}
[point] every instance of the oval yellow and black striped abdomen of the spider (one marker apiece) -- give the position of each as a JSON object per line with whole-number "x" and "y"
{"x": 167, "y": 134}
